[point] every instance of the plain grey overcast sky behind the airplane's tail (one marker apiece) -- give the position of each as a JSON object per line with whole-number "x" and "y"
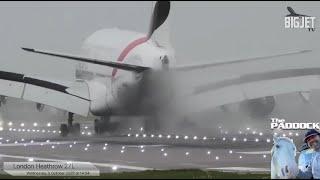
{"x": 201, "y": 31}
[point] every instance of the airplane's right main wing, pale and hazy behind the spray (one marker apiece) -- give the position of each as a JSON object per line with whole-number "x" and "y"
{"x": 252, "y": 86}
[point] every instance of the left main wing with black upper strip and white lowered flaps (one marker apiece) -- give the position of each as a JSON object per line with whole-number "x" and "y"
{"x": 72, "y": 97}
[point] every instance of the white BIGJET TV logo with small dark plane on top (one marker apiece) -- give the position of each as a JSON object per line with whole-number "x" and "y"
{"x": 299, "y": 21}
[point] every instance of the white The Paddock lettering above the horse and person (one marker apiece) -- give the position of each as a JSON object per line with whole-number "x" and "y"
{"x": 281, "y": 124}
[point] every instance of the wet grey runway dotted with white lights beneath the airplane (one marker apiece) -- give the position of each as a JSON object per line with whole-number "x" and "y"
{"x": 245, "y": 150}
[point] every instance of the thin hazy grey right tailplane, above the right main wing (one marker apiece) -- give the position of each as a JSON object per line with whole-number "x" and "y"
{"x": 213, "y": 64}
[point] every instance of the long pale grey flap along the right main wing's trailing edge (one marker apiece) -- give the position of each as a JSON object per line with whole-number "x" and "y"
{"x": 249, "y": 90}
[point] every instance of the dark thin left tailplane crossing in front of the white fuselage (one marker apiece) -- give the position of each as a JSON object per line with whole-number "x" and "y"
{"x": 118, "y": 65}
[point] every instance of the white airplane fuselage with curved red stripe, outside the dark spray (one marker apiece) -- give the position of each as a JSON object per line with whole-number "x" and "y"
{"x": 121, "y": 46}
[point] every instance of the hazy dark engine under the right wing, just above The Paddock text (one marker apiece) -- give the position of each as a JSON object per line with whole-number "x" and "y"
{"x": 260, "y": 107}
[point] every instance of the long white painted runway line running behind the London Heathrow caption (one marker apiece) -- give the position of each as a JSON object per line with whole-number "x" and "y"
{"x": 94, "y": 163}
